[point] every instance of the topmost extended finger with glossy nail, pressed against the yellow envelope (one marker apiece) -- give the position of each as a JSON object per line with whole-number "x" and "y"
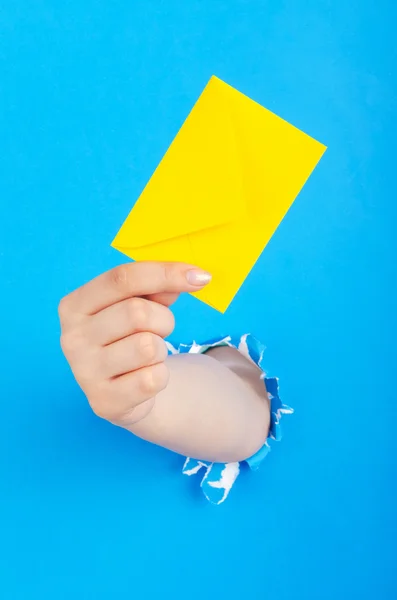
{"x": 135, "y": 279}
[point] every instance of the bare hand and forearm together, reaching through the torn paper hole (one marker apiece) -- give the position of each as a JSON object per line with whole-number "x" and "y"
{"x": 212, "y": 407}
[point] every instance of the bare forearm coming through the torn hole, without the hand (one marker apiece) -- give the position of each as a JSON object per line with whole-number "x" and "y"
{"x": 207, "y": 411}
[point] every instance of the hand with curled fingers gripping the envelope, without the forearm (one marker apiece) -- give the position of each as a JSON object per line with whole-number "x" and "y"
{"x": 112, "y": 335}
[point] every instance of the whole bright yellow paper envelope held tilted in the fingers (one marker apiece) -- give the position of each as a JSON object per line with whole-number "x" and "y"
{"x": 220, "y": 191}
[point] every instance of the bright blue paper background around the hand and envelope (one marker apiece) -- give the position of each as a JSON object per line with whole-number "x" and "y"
{"x": 91, "y": 94}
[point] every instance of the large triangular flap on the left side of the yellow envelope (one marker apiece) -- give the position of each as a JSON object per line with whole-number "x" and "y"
{"x": 194, "y": 187}
